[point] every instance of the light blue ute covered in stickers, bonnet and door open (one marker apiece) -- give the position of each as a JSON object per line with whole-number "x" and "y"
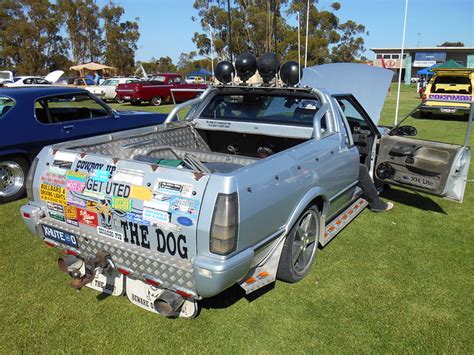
{"x": 242, "y": 191}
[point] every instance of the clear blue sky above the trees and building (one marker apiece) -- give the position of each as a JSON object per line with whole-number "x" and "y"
{"x": 166, "y": 26}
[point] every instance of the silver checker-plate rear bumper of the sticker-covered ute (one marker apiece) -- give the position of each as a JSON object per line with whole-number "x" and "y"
{"x": 200, "y": 276}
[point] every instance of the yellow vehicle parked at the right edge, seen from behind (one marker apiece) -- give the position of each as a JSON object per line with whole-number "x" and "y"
{"x": 448, "y": 92}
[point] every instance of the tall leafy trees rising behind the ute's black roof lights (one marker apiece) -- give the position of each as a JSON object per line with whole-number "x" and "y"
{"x": 253, "y": 30}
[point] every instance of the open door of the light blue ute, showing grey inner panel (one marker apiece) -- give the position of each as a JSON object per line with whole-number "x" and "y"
{"x": 432, "y": 167}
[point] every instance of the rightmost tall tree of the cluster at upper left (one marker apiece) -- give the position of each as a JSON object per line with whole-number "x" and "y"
{"x": 120, "y": 40}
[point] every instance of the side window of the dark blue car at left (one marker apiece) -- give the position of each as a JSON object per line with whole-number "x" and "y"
{"x": 68, "y": 108}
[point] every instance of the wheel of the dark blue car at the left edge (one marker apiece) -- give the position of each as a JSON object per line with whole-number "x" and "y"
{"x": 13, "y": 173}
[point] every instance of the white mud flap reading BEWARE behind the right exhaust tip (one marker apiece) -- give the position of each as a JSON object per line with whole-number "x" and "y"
{"x": 144, "y": 296}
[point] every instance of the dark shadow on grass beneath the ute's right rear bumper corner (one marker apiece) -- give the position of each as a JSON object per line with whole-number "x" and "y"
{"x": 232, "y": 295}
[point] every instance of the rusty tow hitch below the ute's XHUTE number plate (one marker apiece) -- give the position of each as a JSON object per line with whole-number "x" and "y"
{"x": 83, "y": 271}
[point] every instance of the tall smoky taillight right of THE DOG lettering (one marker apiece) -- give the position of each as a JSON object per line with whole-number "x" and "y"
{"x": 223, "y": 238}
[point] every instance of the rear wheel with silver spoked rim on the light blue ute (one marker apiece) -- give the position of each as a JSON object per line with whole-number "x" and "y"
{"x": 300, "y": 247}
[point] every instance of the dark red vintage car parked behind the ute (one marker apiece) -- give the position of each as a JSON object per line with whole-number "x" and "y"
{"x": 158, "y": 90}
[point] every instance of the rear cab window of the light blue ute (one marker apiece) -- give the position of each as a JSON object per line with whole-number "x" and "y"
{"x": 263, "y": 108}
